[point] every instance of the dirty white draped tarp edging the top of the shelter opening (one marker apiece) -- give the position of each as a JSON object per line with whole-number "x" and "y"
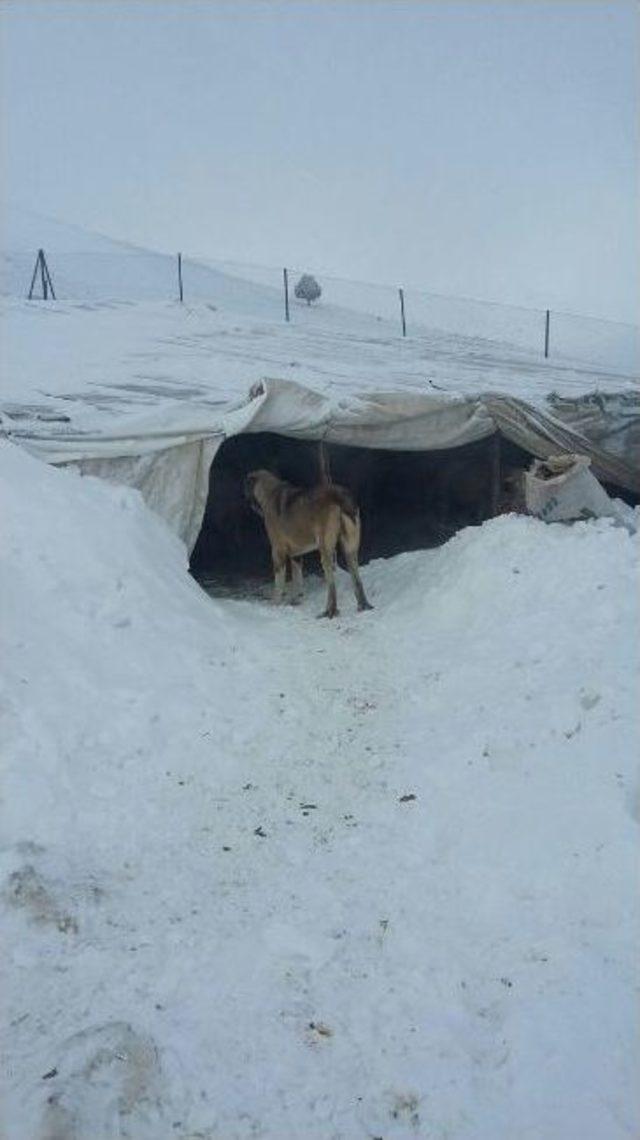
{"x": 167, "y": 452}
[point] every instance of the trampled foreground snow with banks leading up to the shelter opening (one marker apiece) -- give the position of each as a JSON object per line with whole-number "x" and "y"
{"x": 442, "y": 946}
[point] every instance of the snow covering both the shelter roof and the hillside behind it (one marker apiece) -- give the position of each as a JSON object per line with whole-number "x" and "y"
{"x": 118, "y": 339}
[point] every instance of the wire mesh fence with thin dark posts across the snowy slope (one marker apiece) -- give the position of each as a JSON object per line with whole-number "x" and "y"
{"x": 346, "y": 307}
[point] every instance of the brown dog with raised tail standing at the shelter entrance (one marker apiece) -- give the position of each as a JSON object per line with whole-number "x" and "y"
{"x": 298, "y": 522}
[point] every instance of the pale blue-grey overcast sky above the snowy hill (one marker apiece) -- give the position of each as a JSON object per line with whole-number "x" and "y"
{"x": 472, "y": 149}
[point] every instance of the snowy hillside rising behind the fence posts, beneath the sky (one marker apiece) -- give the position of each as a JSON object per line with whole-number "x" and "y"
{"x": 90, "y": 271}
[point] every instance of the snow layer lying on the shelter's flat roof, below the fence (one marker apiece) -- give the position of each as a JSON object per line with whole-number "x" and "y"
{"x": 100, "y": 370}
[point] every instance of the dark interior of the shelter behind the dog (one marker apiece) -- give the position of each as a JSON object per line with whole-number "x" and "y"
{"x": 408, "y": 500}
